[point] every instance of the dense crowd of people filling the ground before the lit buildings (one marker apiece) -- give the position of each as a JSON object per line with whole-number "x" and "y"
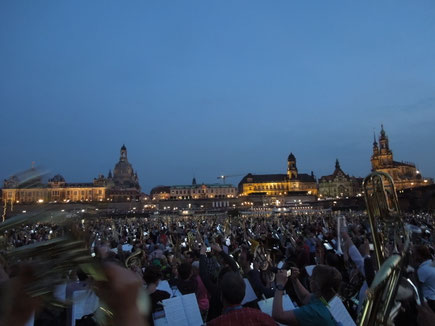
{"x": 210, "y": 256}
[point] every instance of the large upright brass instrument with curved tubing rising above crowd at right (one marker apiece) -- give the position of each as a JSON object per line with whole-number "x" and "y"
{"x": 386, "y": 224}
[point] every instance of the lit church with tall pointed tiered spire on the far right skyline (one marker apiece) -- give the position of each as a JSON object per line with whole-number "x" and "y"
{"x": 404, "y": 174}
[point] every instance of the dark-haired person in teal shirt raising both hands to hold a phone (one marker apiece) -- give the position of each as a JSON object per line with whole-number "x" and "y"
{"x": 324, "y": 284}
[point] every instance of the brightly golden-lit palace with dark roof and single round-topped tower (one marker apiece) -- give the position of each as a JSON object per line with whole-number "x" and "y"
{"x": 279, "y": 184}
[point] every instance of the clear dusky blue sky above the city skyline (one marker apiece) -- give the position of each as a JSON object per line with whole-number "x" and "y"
{"x": 201, "y": 88}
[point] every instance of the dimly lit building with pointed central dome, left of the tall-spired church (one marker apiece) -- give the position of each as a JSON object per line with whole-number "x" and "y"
{"x": 339, "y": 184}
